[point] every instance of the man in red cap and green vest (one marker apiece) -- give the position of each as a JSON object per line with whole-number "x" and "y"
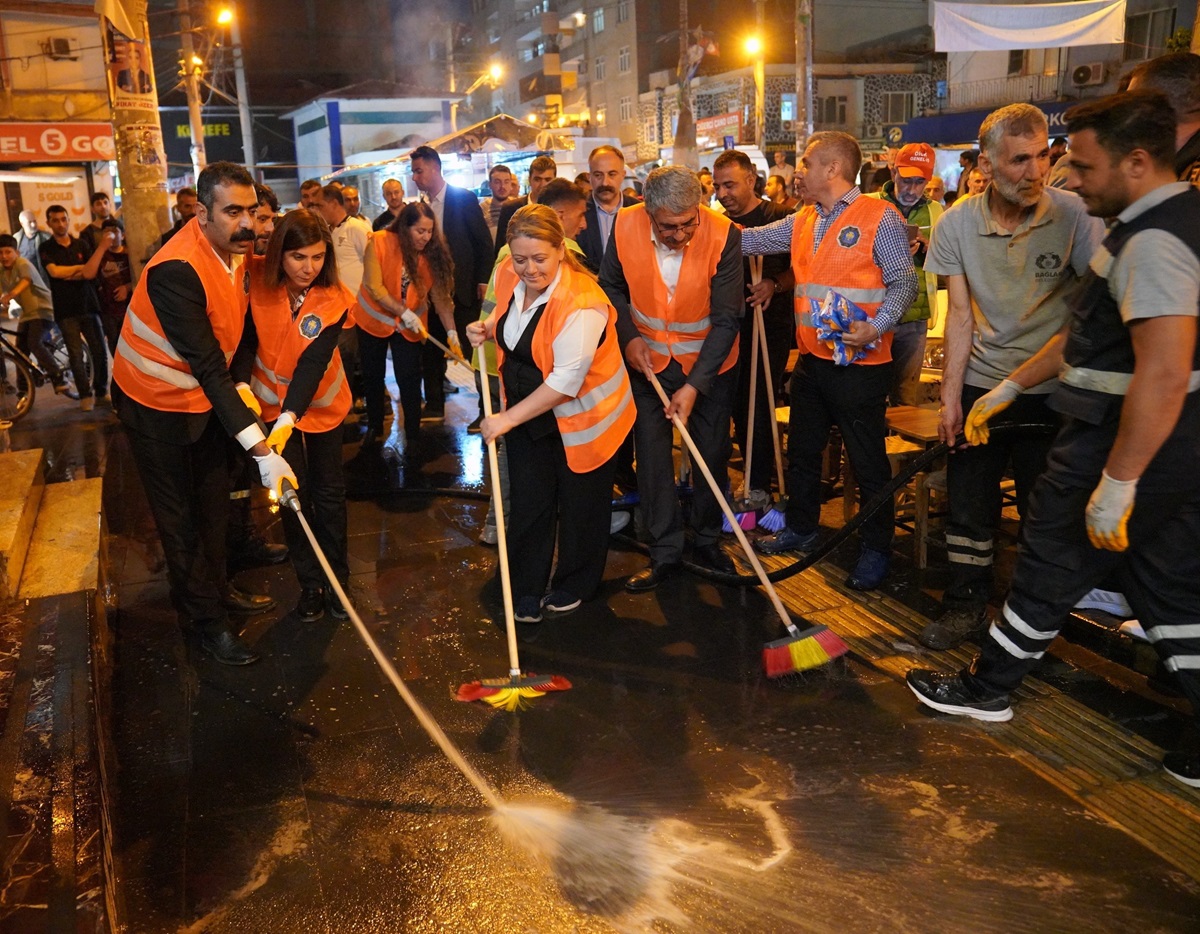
{"x": 911, "y": 172}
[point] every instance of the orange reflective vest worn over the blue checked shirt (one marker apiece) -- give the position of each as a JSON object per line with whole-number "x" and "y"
{"x": 845, "y": 265}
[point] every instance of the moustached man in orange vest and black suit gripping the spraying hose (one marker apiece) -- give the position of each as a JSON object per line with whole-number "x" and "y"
{"x": 181, "y": 405}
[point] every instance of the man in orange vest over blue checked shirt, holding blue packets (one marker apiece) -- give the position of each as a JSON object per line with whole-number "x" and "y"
{"x": 857, "y": 248}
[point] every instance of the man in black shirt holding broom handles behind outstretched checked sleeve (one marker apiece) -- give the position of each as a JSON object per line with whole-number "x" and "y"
{"x": 734, "y": 177}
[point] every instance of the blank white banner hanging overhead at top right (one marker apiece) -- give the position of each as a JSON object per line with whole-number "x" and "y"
{"x": 1000, "y": 27}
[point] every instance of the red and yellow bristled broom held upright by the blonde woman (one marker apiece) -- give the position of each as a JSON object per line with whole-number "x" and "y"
{"x": 519, "y": 687}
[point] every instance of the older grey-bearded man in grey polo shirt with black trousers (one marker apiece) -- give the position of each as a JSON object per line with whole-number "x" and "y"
{"x": 1010, "y": 256}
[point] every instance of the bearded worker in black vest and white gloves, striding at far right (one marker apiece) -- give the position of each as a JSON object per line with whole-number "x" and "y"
{"x": 1119, "y": 494}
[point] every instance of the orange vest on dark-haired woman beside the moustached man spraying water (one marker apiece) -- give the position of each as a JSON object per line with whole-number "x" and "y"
{"x": 284, "y": 338}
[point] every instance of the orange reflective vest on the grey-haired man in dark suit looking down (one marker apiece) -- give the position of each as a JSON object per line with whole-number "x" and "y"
{"x": 674, "y": 327}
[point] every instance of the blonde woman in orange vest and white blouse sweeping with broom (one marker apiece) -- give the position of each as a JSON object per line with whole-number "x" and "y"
{"x": 568, "y": 409}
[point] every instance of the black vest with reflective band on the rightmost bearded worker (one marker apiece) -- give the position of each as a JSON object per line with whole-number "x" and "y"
{"x": 1100, "y": 339}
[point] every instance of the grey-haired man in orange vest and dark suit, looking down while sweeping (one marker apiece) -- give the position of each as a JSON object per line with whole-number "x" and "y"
{"x": 674, "y": 273}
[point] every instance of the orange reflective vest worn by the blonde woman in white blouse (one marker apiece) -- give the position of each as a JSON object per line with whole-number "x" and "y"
{"x": 595, "y": 424}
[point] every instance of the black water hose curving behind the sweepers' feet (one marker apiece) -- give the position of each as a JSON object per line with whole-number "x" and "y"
{"x": 902, "y": 480}
